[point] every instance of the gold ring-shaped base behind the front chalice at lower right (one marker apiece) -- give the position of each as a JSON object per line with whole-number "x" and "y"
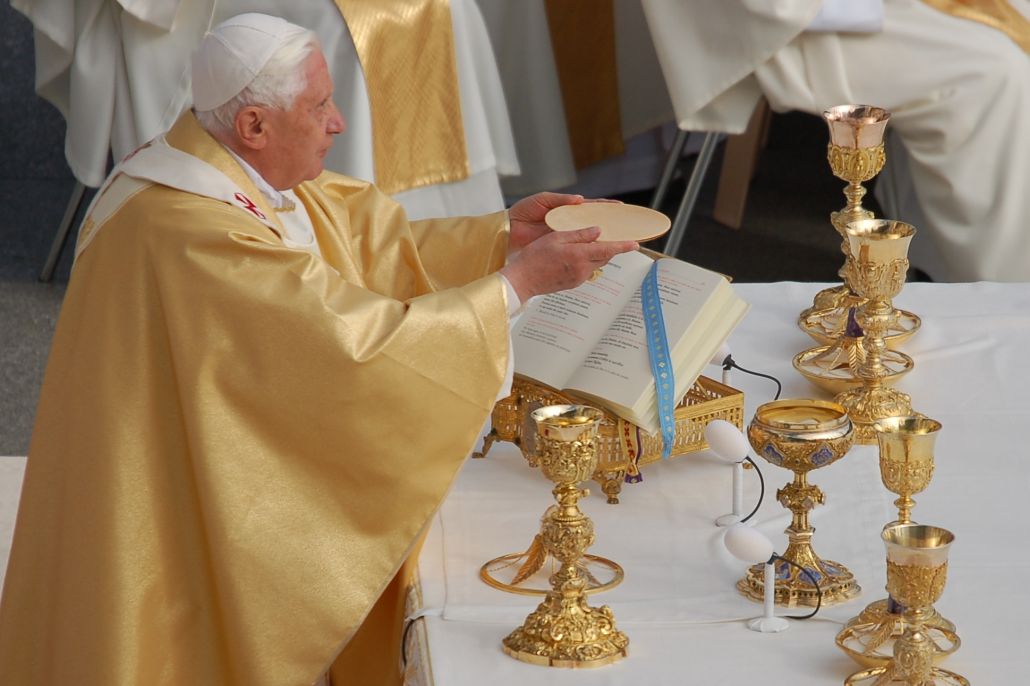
{"x": 869, "y": 639}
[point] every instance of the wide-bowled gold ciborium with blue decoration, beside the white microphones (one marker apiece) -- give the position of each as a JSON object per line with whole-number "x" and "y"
{"x": 802, "y": 435}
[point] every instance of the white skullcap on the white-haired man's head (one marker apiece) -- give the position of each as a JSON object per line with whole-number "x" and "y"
{"x": 231, "y": 55}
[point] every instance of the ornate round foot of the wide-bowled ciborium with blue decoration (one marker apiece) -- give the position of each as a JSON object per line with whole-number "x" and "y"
{"x": 794, "y": 589}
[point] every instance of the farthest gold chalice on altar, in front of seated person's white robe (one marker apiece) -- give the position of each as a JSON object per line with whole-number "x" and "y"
{"x": 855, "y": 155}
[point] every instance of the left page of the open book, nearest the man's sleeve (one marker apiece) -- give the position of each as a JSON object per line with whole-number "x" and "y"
{"x": 556, "y": 334}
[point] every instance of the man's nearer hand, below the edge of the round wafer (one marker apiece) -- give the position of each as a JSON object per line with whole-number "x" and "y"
{"x": 559, "y": 261}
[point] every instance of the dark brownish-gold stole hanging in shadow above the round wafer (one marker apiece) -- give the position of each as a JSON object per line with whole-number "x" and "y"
{"x": 583, "y": 41}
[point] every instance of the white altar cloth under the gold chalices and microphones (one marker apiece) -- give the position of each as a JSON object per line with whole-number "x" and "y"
{"x": 678, "y": 604}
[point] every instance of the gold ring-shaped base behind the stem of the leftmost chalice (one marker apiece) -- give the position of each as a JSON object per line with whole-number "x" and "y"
{"x": 528, "y": 573}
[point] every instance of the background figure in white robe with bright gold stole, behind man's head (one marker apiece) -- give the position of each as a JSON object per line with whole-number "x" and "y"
{"x": 423, "y": 97}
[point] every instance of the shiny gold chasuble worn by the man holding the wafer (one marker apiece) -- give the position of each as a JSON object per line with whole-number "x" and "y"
{"x": 237, "y": 443}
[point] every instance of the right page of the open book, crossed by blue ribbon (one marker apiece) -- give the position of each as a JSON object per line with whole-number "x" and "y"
{"x": 619, "y": 368}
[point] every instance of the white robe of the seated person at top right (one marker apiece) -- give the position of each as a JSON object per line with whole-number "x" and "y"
{"x": 958, "y": 92}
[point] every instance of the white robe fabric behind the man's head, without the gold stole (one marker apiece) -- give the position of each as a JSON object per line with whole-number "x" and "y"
{"x": 119, "y": 72}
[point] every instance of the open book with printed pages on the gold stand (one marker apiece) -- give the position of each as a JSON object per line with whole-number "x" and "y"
{"x": 591, "y": 340}
